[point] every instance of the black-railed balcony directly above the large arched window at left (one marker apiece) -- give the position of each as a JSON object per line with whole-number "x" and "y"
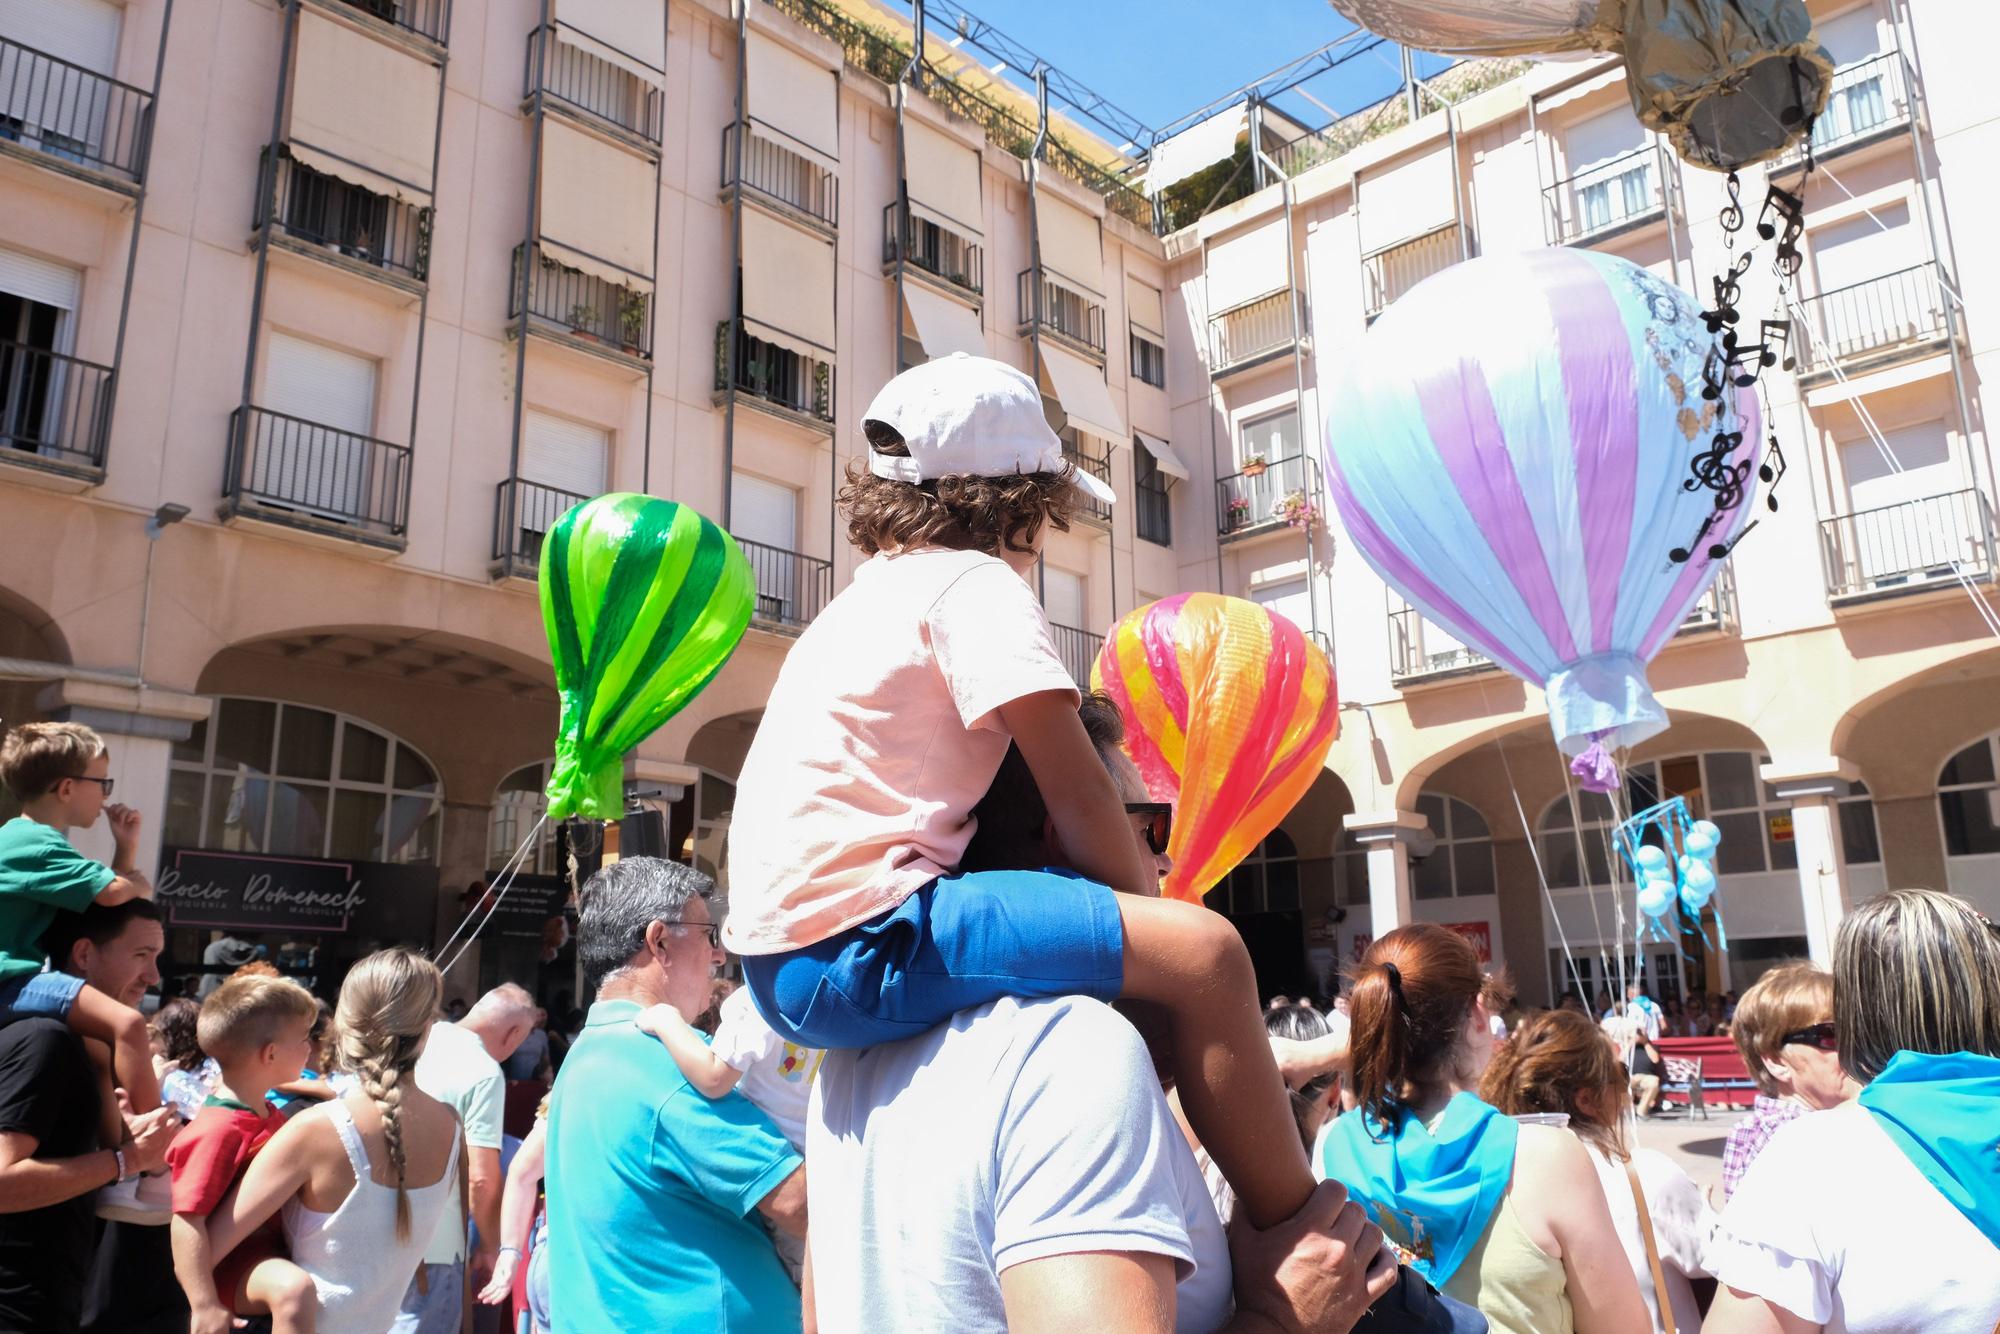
{"x": 301, "y": 475}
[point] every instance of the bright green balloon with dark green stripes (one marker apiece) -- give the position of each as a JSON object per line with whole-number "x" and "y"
{"x": 643, "y": 601}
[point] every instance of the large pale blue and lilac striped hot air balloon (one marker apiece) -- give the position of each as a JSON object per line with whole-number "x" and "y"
{"x": 1519, "y": 453}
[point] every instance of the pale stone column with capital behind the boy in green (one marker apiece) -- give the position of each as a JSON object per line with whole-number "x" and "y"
{"x": 141, "y": 727}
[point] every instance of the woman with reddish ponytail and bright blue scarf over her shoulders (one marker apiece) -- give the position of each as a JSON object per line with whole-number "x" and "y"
{"x": 1499, "y": 1215}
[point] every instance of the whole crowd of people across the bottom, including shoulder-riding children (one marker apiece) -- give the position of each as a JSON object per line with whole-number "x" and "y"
{"x": 981, "y": 1077}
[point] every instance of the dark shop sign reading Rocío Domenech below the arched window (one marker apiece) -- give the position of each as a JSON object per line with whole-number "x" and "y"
{"x": 297, "y": 895}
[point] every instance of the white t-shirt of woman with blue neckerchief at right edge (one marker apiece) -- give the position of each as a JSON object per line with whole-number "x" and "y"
{"x": 1837, "y": 1225}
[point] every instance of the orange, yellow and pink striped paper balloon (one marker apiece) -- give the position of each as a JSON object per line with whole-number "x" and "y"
{"x": 1229, "y": 715}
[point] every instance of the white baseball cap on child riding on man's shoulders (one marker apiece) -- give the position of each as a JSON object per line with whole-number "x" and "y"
{"x": 971, "y": 415}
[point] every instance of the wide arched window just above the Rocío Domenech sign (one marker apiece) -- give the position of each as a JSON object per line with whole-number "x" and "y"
{"x": 293, "y": 781}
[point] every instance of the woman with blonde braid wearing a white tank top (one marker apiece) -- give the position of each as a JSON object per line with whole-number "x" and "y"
{"x": 363, "y": 1179}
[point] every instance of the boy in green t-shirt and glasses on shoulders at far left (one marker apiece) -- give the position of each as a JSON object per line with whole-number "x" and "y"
{"x": 61, "y": 777}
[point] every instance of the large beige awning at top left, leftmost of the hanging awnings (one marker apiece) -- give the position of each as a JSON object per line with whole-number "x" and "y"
{"x": 363, "y": 111}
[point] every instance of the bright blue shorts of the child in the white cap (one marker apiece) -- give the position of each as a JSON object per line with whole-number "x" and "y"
{"x": 959, "y": 943}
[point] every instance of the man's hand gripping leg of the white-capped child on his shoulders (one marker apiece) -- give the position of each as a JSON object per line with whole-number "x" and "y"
{"x": 1317, "y": 1271}
